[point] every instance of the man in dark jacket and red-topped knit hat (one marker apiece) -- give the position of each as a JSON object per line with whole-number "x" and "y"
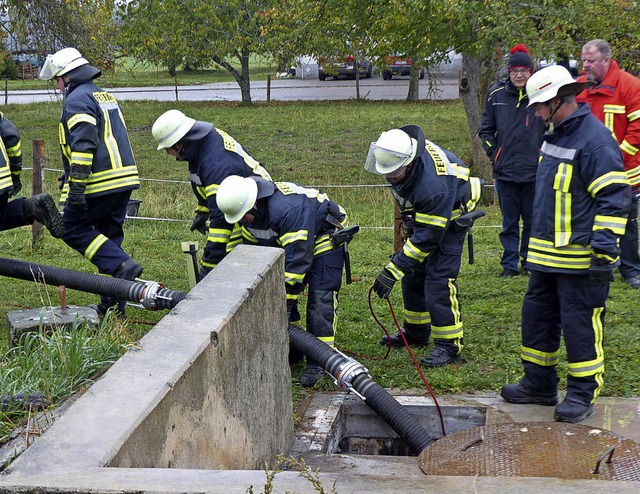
{"x": 511, "y": 136}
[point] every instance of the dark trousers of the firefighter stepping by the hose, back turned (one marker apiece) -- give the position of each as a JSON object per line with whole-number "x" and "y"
{"x": 97, "y": 232}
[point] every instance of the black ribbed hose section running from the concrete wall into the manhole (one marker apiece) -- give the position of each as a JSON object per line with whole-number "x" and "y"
{"x": 353, "y": 376}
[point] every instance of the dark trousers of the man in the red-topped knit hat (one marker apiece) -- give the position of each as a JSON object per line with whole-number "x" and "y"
{"x": 516, "y": 201}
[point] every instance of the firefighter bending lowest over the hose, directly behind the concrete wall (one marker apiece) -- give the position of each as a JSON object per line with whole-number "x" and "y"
{"x": 301, "y": 220}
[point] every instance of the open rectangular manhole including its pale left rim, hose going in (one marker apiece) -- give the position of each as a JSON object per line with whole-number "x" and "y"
{"x": 346, "y": 425}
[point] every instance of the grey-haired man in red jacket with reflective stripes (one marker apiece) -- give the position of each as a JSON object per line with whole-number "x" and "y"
{"x": 615, "y": 100}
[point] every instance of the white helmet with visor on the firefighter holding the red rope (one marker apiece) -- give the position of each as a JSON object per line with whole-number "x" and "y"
{"x": 393, "y": 150}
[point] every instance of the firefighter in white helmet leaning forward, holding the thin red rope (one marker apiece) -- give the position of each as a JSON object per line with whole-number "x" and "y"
{"x": 432, "y": 189}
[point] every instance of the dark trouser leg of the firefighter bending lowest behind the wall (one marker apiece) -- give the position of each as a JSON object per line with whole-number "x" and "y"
{"x": 324, "y": 279}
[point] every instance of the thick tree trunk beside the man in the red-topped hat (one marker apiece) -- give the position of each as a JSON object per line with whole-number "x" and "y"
{"x": 469, "y": 85}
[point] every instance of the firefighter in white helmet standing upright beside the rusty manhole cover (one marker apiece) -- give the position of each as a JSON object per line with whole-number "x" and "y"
{"x": 580, "y": 209}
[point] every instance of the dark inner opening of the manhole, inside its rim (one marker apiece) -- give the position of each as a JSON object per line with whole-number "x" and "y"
{"x": 358, "y": 430}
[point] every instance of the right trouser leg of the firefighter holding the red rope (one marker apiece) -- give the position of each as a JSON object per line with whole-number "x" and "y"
{"x": 441, "y": 269}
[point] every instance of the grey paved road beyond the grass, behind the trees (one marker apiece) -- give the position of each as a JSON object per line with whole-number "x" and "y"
{"x": 445, "y": 86}
